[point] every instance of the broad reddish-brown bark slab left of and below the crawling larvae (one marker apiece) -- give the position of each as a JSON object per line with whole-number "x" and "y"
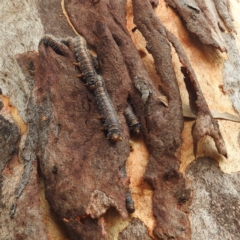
{"x": 82, "y": 183}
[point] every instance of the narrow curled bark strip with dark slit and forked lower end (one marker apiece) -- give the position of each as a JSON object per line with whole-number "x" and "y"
{"x": 205, "y": 123}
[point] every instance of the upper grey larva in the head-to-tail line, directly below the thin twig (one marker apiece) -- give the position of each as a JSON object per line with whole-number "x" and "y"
{"x": 85, "y": 61}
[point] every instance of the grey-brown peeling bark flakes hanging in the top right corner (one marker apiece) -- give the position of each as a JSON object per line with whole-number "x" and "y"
{"x": 200, "y": 20}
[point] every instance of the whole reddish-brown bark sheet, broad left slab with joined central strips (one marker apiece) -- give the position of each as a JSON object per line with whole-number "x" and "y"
{"x": 83, "y": 183}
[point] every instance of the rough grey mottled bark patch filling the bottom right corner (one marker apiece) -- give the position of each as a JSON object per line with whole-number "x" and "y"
{"x": 214, "y": 203}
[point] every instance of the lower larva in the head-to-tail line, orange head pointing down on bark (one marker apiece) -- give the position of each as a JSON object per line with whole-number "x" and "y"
{"x": 111, "y": 123}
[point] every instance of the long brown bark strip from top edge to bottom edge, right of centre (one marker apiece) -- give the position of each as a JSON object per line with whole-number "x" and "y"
{"x": 171, "y": 194}
